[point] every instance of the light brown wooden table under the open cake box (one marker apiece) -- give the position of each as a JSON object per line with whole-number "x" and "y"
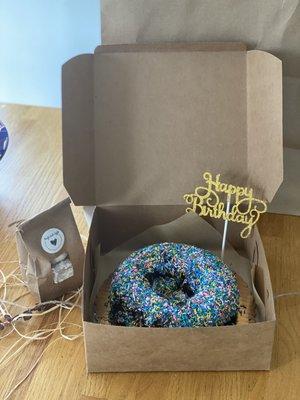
{"x": 30, "y": 181}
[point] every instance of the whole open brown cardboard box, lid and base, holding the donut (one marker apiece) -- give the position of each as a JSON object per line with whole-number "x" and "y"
{"x": 141, "y": 123}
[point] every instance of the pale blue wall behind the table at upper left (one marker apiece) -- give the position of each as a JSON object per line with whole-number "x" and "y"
{"x": 36, "y": 38}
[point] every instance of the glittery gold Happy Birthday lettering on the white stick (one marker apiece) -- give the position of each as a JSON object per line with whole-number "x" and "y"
{"x": 206, "y": 201}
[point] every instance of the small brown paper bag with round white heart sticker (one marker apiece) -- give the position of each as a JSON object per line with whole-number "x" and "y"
{"x": 51, "y": 253}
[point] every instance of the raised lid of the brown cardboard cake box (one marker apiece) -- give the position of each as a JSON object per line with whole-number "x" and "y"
{"x": 141, "y": 123}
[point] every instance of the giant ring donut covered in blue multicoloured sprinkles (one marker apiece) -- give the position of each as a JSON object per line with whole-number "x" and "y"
{"x": 173, "y": 285}
